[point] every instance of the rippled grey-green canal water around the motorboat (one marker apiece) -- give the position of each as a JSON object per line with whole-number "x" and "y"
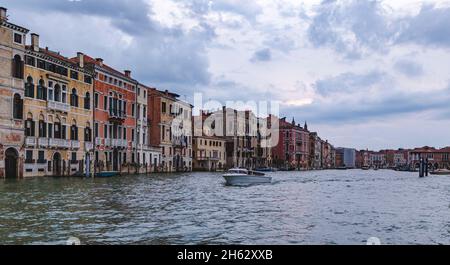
{"x": 319, "y": 207}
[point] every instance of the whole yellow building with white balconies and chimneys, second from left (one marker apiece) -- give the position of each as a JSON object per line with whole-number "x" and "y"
{"x": 57, "y": 112}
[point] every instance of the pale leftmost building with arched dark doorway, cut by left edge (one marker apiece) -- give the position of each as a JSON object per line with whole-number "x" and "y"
{"x": 12, "y": 90}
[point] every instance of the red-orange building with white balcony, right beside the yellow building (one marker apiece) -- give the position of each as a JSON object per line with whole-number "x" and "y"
{"x": 114, "y": 115}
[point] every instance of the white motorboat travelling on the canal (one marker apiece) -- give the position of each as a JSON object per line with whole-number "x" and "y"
{"x": 244, "y": 177}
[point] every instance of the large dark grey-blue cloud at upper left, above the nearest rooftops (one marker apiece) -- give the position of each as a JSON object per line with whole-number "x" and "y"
{"x": 158, "y": 55}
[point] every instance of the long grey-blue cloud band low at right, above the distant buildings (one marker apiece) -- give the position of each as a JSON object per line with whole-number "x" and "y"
{"x": 354, "y": 103}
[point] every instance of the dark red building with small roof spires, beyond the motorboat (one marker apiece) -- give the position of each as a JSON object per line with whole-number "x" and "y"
{"x": 293, "y": 148}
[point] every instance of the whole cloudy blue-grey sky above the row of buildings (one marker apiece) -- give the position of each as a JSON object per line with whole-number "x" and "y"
{"x": 364, "y": 74}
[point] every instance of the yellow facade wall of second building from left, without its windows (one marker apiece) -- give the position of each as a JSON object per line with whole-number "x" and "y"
{"x": 37, "y": 110}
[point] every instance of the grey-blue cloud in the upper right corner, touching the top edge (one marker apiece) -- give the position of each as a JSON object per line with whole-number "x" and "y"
{"x": 356, "y": 28}
